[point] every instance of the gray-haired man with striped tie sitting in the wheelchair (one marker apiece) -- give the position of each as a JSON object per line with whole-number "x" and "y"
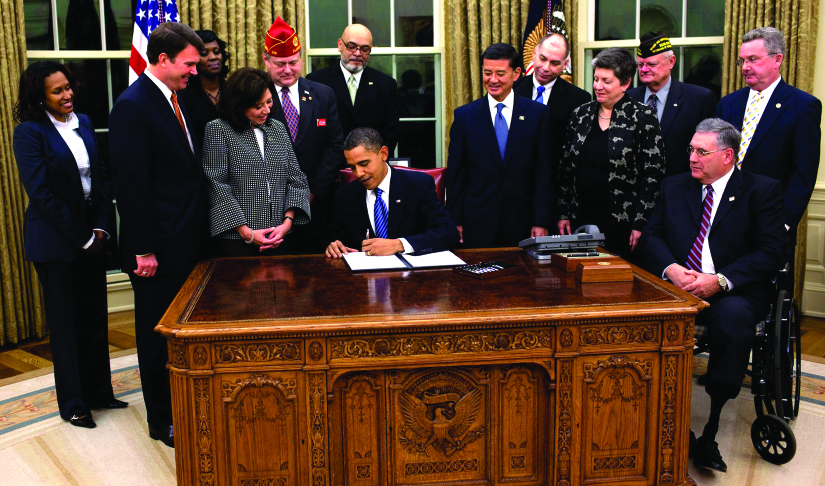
{"x": 719, "y": 234}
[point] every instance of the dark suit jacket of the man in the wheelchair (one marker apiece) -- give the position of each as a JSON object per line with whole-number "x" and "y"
{"x": 747, "y": 237}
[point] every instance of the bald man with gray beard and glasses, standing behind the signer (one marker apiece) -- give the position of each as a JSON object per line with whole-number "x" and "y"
{"x": 366, "y": 97}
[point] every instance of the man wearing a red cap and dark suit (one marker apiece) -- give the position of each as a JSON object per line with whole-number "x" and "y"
{"x": 310, "y": 113}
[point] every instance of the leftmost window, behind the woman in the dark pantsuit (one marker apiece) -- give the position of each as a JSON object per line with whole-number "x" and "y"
{"x": 96, "y": 50}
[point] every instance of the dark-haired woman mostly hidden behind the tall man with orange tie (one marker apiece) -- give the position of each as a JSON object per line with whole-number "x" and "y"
{"x": 201, "y": 96}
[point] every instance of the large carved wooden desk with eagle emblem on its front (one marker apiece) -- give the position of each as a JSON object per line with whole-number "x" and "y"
{"x": 294, "y": 371}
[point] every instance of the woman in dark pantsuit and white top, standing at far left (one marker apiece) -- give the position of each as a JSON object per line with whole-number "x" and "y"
{"x": 70, "y": 210}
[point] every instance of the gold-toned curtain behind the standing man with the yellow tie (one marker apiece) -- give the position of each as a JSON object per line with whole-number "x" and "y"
{"x": 799, "y": 22}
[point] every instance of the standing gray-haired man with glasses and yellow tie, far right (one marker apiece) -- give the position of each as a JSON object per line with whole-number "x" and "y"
{"x": 780, "y": 127}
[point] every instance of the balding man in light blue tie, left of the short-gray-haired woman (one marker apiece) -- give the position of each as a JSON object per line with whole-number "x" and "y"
{"x": 546, "y": 86}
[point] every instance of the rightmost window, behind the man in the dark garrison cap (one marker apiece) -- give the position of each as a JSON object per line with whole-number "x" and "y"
{"x": 695, "y": 28}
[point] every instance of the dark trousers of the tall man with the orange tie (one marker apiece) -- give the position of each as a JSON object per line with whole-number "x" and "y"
{"x": 153, "y": 295}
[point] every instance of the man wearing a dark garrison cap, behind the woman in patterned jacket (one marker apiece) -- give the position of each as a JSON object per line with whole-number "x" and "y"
{"x": 678, "y": 106}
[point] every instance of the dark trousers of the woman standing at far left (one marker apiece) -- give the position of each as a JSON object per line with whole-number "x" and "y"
{"x": 74, "y": 296}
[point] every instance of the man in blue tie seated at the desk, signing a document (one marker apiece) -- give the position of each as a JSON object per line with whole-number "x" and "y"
{"x": 386, "y": 211}
